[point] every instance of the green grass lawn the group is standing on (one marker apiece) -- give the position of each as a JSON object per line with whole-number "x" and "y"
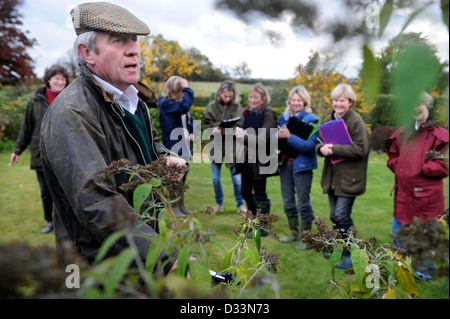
{"x": 301, "y": 274}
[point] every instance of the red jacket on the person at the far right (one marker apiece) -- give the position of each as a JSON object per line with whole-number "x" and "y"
{"x": 419, "y": 187}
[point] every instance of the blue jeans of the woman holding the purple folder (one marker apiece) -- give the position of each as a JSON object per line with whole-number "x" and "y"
{"x": 340, "y": 211}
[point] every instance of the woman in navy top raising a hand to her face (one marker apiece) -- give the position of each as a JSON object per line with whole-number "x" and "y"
{"x": 177, "y": 126}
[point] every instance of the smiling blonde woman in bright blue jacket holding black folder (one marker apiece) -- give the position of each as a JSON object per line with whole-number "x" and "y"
{"x": 296, "y": 171}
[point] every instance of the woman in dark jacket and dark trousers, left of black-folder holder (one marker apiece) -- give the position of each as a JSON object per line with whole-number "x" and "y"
{"x": 259, "y": 151}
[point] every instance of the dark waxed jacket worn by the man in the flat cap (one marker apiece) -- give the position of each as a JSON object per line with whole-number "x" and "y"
{"x": 82, "y": 133}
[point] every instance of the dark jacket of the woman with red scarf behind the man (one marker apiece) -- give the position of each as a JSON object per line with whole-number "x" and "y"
{"x": 30, "y": 130}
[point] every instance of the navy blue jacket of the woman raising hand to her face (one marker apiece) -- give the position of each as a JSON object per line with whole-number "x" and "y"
{"x": 170, "y": 116}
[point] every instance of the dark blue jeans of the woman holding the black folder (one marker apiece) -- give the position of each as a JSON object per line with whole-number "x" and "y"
{"x": 299, "y": 183}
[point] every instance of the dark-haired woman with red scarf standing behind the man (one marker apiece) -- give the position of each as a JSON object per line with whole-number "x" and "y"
{"x": 56, "y": 78}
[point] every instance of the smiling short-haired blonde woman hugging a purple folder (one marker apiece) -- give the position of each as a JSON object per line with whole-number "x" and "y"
{"x": 346, "y": 179}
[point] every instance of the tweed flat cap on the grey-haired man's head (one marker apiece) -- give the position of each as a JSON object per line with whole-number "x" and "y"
{"x": 107, "y": 17}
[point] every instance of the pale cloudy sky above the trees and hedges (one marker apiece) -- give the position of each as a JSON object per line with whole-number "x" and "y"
{"x": 223, "y": 38}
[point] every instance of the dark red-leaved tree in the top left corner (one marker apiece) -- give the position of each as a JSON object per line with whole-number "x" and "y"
{"x": 15, "y": 63}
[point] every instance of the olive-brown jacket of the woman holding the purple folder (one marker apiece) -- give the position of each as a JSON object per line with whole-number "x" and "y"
{"x": 348, "y": 178}
